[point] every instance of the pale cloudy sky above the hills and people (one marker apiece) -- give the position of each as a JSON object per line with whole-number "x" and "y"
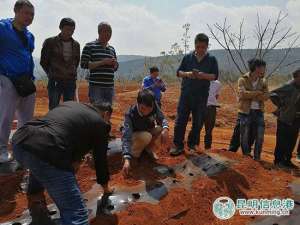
{"x": 151, "y": 26}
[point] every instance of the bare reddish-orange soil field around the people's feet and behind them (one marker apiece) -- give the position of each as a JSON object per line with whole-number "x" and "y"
{"x": 246, "y": 179}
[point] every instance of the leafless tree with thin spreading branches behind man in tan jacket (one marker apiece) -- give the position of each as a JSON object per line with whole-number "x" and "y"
{"x": 269, "y": 36}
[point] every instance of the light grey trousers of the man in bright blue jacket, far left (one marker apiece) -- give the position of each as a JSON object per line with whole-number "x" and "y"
{"x": 11, "y": 104}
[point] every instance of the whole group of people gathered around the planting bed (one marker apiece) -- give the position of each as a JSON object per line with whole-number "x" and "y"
{"x": 52, "y": 147}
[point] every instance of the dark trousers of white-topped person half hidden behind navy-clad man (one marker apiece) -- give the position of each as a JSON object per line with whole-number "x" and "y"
{"x": 209, "y": 123}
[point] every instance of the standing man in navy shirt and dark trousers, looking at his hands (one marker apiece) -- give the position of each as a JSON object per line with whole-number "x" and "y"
{"x": 197, "y": 69}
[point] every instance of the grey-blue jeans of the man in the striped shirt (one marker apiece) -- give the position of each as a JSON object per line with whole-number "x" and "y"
{"x": 99, "y": 94}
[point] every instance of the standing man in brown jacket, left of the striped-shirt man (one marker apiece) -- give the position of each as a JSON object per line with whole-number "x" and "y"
{"x": 60, "y": 58}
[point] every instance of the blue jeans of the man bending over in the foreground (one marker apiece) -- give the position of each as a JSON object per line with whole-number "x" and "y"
{"x": 60, "y": 184}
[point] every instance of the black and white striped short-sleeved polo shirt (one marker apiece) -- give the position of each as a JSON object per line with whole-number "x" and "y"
{"x": 92, "y": 52}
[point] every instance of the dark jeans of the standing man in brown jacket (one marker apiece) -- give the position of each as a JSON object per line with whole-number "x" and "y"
{"x": 56, "y": 89}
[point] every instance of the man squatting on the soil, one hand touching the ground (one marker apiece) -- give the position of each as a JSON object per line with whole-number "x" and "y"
{"x": 140, "y": 131}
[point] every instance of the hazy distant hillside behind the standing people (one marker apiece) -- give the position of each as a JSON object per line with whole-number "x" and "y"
{"x": 135, "y": 66}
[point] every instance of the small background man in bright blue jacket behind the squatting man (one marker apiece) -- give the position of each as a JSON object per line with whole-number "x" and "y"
{"x": 154, "y": 83}
